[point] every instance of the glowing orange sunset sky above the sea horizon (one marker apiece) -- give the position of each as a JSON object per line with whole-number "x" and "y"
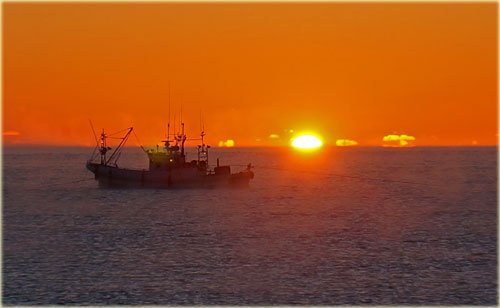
{"x": 343, "y": 70}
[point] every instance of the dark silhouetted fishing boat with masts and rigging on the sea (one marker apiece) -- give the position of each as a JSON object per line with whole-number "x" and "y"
{"x": 168, "y": 167}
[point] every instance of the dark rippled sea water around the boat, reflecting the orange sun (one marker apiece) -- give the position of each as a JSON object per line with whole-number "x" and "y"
{"x": 351, "y": 226}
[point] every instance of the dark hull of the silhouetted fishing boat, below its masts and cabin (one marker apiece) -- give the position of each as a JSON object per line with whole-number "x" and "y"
{"x": 188, "y": 177}
